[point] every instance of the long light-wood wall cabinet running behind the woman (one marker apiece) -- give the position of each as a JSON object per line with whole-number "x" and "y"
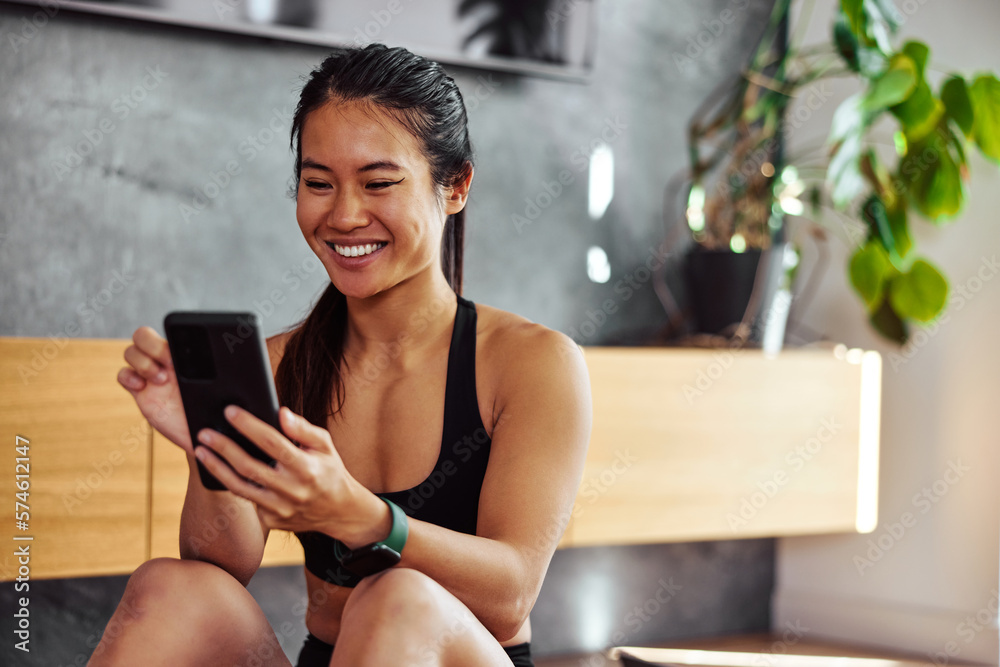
{"x": 687, "y": 445}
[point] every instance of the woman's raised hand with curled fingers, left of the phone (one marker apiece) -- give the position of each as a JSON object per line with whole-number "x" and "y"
{"x": 151, "y": 380}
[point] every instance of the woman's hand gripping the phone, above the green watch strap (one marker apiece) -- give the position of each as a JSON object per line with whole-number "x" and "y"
{"x": 308, "y": 488}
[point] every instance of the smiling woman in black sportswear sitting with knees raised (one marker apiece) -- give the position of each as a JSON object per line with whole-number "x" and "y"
{"x": 449, "y": 433}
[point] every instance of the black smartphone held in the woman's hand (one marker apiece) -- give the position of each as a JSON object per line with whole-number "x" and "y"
{"x": 221, "y": 359}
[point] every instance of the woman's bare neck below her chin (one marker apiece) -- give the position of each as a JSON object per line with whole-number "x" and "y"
{"x": 404, "y": 321}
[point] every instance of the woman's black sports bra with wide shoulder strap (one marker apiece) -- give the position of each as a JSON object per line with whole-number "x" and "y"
{"x": 449, "y": 497}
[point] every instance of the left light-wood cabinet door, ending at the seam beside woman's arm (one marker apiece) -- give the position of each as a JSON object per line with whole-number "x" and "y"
{"x": 89, "y": 451}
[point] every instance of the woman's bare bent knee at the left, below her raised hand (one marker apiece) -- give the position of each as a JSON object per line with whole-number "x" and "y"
{"x": 187, "y": 612}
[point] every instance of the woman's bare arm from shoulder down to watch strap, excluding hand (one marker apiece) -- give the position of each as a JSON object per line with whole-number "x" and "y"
{"x": 539, "y": 443}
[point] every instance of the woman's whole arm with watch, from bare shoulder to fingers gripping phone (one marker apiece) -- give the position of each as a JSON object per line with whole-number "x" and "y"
{"x": 542, "y": 428}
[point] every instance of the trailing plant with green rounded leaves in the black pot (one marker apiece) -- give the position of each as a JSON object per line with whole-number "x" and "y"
{"x": 741, "y": 186}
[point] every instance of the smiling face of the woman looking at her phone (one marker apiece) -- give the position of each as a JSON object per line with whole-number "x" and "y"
{"x": 366, "y": 203}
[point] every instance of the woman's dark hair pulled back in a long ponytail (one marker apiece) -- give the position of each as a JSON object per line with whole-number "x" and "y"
{"x": 421, "y": 95}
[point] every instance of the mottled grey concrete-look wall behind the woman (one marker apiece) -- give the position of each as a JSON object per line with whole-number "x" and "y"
{"x": 144, "y": 168}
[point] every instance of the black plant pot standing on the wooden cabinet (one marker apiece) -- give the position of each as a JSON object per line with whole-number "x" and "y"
{"x": 719, "y": 285}
